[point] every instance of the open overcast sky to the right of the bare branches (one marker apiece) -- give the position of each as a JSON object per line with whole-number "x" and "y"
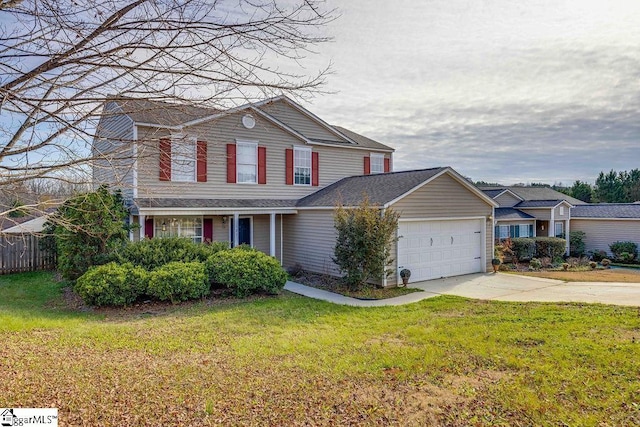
{"x": 506, "y": 91}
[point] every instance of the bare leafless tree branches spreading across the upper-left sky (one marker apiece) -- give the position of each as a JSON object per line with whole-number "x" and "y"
{"x": 61, "y": 59}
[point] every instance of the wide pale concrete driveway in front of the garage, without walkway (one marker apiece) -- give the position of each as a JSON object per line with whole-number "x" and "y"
{"x": 510, "y": 287}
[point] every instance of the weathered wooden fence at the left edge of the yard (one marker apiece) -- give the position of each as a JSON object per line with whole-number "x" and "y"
{"x": 21, "y": 252}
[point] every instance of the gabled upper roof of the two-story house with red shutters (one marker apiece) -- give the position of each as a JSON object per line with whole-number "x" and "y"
{"x": 174, "y": 115}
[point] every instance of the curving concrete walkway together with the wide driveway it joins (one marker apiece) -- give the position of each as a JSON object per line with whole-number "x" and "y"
{"x": 498, "y": 287}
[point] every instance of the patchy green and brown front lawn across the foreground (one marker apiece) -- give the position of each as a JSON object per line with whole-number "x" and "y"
{"x": 289, "y": 360}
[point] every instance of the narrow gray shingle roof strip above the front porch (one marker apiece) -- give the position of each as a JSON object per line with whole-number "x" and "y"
{"x": 214, "y": 203}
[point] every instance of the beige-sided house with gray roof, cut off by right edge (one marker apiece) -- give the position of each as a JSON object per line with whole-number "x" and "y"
{"x": 606, "y": 223}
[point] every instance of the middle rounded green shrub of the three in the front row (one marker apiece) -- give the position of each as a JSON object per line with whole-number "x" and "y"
{"x": 178, "y": 281}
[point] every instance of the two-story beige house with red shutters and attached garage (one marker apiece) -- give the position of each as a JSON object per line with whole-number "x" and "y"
{"x": 269, "y": 175}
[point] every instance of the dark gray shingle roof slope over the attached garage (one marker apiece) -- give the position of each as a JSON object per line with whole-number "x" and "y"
{"x": 380, "y": 188}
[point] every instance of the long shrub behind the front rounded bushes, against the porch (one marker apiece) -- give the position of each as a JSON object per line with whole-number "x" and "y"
{"x": 154, "y": 253}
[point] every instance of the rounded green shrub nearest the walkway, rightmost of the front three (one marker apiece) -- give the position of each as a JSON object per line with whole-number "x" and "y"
{"x": 246, "y": 271}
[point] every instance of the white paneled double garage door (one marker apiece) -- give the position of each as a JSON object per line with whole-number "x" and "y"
{"x": 434, "y": 249}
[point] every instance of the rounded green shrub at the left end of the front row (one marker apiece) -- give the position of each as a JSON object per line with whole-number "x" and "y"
{"x": 112, "y": 284}
